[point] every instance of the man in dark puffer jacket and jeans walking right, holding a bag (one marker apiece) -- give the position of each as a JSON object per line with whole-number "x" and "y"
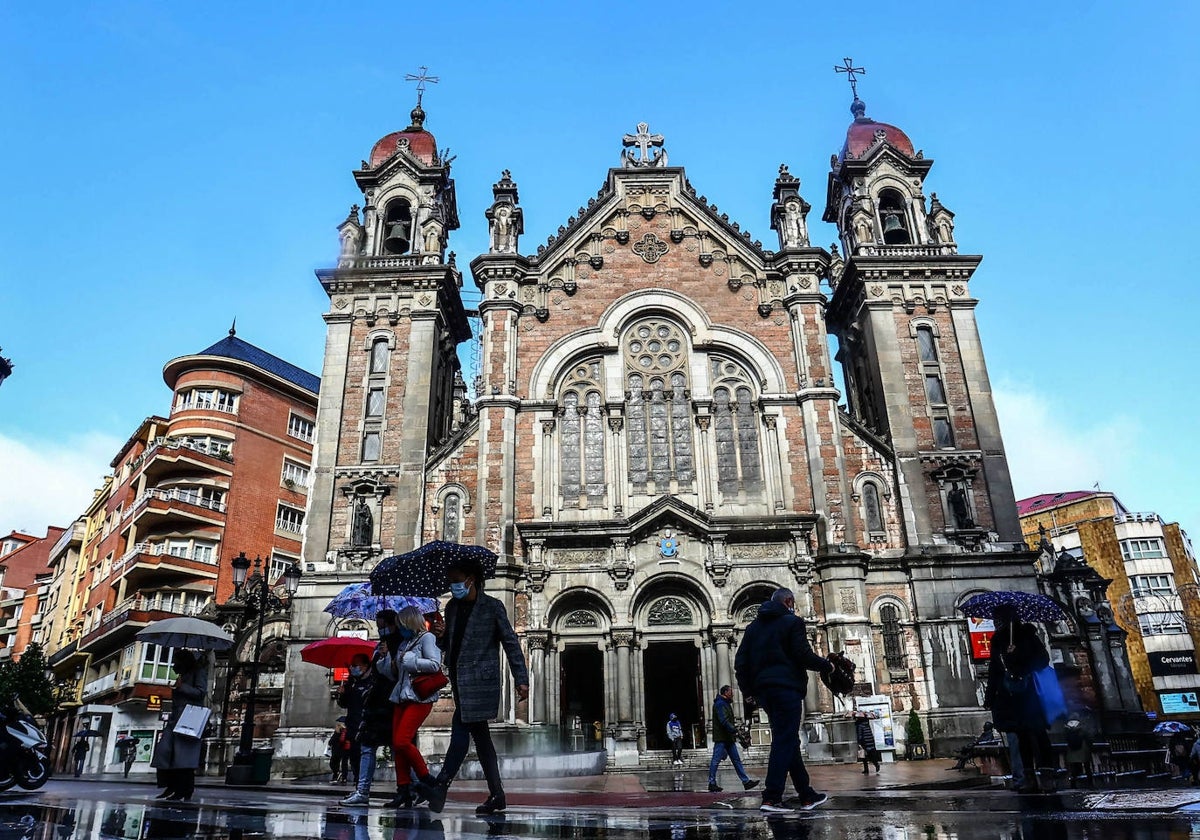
{"x": 772, "y": 668}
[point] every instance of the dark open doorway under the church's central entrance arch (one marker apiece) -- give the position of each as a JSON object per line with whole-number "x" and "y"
{"x": 671, "y": 674}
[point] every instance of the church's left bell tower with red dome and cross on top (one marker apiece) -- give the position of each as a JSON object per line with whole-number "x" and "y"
{"x": 394, "y": 325}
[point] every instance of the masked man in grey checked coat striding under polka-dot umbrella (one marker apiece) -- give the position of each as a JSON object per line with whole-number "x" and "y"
{"x": 477, "y": 627}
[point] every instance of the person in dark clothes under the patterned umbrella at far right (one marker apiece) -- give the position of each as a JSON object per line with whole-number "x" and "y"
{"x": 1012, "y": 695}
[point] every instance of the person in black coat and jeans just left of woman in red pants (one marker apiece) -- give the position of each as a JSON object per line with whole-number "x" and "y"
{"x": 370, "y": 692}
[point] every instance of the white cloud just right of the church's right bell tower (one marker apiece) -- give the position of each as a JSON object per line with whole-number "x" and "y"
{"x": 1052, "y": 451}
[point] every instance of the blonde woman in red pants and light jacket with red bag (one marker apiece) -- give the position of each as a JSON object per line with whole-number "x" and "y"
{"x": 416, "y": 653}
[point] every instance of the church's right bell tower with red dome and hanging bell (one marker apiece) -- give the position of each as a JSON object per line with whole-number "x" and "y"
{"x": 909, "y": 344}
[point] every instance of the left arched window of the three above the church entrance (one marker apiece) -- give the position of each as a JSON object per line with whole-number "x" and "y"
{"x": 581, "y": 452}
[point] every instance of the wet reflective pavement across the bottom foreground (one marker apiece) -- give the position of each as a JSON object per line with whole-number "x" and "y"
{"x": 110, "y": 811}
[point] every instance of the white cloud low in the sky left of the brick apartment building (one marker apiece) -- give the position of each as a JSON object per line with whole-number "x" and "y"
{"x": 45, "y": 483}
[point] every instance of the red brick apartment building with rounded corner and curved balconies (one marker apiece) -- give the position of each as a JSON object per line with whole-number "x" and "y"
{"x": 225, "y": 471}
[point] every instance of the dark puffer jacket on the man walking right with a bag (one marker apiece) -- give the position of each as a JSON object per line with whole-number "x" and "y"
{"x": 776, "y": 655}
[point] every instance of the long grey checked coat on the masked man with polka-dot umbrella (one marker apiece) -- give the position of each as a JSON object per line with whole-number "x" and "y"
{"x": 477, "y": 677}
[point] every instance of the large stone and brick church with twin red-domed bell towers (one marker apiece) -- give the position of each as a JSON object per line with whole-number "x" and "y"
{"x": 657, "y": 437}
